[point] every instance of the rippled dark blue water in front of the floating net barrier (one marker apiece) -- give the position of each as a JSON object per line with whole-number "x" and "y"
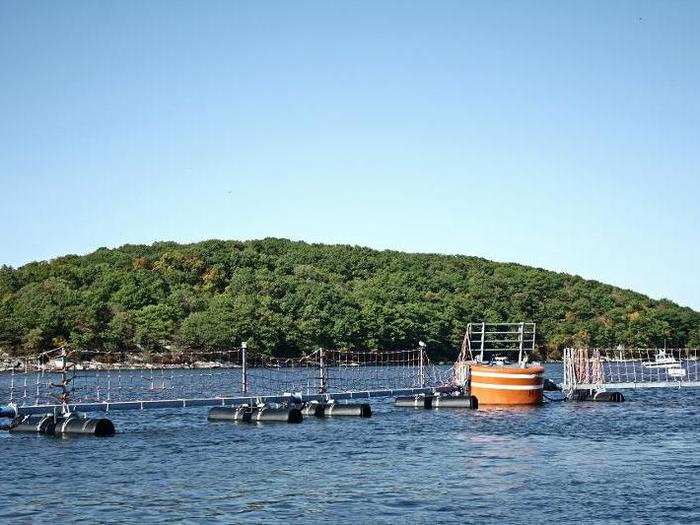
{"x": 633, "y": 462}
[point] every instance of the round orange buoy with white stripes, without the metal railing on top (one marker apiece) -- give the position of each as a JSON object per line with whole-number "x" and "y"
{"x": 505, "y": 385}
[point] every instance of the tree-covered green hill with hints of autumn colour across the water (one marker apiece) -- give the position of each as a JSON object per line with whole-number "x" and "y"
{"x": 285, "y": 297}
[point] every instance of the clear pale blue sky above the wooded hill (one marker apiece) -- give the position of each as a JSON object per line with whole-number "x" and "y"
{"x": 564, "y": 135}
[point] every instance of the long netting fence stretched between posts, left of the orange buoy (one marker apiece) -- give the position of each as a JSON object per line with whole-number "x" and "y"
{"x": 63, "y": 375}
